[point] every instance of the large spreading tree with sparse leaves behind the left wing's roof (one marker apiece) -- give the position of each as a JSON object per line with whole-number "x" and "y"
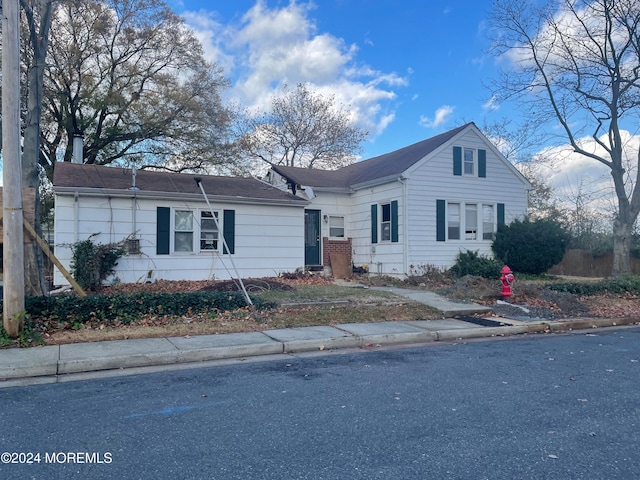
{"x": 132, "y": 78}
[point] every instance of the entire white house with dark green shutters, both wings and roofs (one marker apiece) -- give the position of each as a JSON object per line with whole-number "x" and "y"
{"x": 415, "y": 207}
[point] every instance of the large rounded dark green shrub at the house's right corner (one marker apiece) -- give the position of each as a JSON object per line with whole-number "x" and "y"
{"x": 530, "y": 246}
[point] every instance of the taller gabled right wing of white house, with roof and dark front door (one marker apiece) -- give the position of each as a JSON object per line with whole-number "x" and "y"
{"x": 415, "y": 207}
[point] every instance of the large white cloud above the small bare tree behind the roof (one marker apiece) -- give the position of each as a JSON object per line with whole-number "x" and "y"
{"x": 270, "y": 47}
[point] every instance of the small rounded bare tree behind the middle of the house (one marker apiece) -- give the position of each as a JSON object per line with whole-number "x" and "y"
{"x": 302, "y": 129}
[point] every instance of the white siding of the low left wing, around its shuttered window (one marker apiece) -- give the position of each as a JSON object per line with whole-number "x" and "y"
{"x": 268, "y": 239}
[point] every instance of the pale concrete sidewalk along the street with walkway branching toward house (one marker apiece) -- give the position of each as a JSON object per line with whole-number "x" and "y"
{"x": 48, "y": 363}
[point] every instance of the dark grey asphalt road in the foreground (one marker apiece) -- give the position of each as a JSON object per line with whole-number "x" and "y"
{"x": 535, "y": 407}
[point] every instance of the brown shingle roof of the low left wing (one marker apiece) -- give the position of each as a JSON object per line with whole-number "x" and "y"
{"x": 71, "y": 175}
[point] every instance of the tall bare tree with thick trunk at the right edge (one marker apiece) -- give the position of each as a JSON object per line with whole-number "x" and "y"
{"x": 577, "y": 62}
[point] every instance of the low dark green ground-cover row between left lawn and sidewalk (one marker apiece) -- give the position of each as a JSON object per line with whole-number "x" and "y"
{"x": 127, "y": 307}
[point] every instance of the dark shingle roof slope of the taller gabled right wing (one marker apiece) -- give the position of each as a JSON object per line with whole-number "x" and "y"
{"x": 386, "y": 165}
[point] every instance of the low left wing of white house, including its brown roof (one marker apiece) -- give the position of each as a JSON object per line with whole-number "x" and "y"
{"x": 170, "y": 230}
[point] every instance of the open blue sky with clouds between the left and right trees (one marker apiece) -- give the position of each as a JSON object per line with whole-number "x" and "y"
{"x": 407, "y": 69}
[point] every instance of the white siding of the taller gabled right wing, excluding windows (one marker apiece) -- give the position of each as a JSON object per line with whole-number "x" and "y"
{"x": 427, "y": 181}
